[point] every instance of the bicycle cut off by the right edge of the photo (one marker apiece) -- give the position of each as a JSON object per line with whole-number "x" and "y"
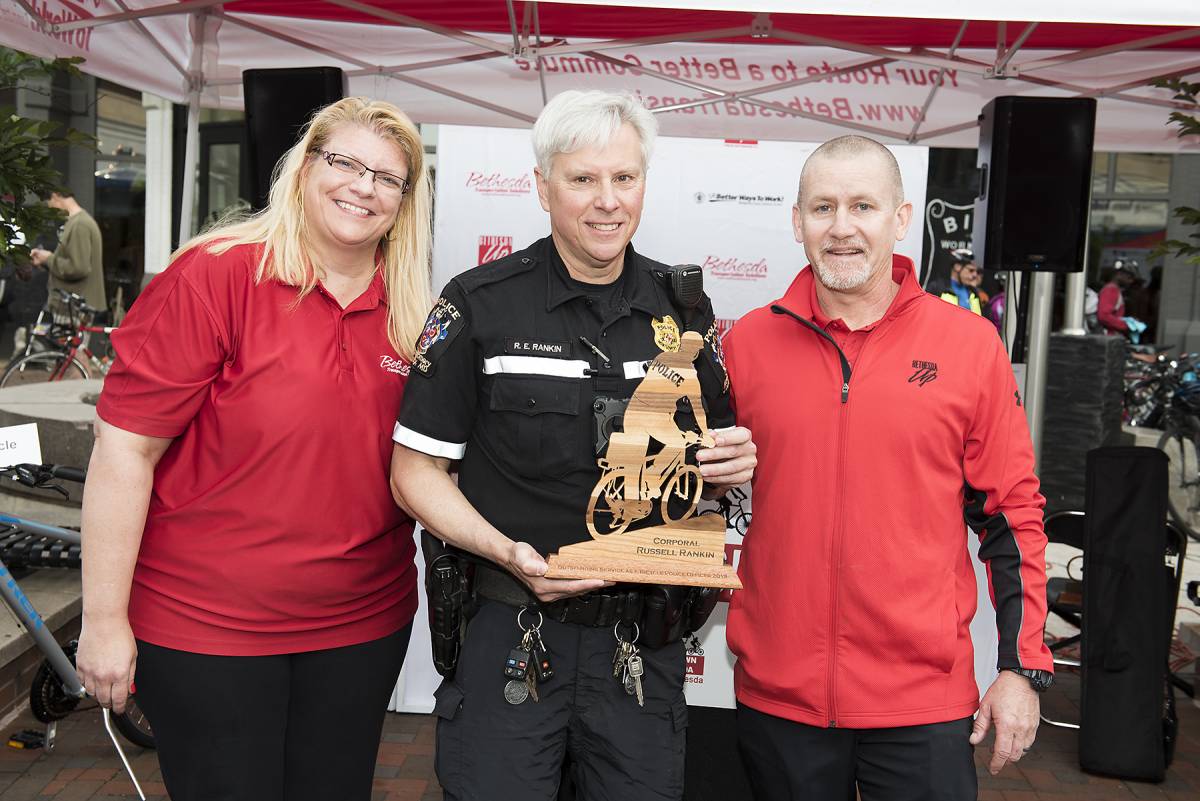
{"x": 1178, "y": 394}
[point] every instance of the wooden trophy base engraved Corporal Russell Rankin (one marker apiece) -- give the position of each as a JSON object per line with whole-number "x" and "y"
{"x": 689, "y": 553}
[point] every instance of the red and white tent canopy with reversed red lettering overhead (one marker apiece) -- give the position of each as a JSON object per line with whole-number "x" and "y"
{"x": 724, "y": 70}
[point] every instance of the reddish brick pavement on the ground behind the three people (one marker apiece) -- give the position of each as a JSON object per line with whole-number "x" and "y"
{"x": 83, "y": 767}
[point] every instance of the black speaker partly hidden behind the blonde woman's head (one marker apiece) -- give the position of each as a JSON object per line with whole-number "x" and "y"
{"x": 279, "y": 104}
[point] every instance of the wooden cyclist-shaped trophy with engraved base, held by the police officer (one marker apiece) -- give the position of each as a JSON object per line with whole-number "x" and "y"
{"x": 687, "y": 550}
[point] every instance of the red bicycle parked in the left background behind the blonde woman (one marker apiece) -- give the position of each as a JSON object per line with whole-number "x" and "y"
{"x": 61, "y": 359}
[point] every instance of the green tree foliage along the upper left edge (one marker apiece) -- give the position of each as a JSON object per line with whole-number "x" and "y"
{"x": 27, "y": 172}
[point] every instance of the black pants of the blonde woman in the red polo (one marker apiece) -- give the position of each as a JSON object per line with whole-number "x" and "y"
{"x": 291, "y": 727}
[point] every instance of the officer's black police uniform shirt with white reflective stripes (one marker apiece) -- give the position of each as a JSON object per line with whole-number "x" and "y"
{"x": 502, "y": 382}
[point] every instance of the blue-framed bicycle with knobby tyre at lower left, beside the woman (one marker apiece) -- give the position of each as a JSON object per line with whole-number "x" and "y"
{"x": 57, "y": 690}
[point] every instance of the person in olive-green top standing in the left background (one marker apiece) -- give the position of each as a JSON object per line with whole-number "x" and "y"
{"x": 77, "y": 264}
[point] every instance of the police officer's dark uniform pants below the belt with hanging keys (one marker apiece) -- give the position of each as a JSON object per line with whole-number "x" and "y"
{"x": 491, "y": 751}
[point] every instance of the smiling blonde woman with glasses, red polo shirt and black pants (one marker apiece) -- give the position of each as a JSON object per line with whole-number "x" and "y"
{"x": 245, "y": 556}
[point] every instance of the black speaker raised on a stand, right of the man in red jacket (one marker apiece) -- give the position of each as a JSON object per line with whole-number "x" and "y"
{"x": 1035, "y": 183}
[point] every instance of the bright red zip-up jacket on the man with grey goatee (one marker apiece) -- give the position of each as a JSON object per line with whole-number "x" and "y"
{"x": 860, "y": 589}
